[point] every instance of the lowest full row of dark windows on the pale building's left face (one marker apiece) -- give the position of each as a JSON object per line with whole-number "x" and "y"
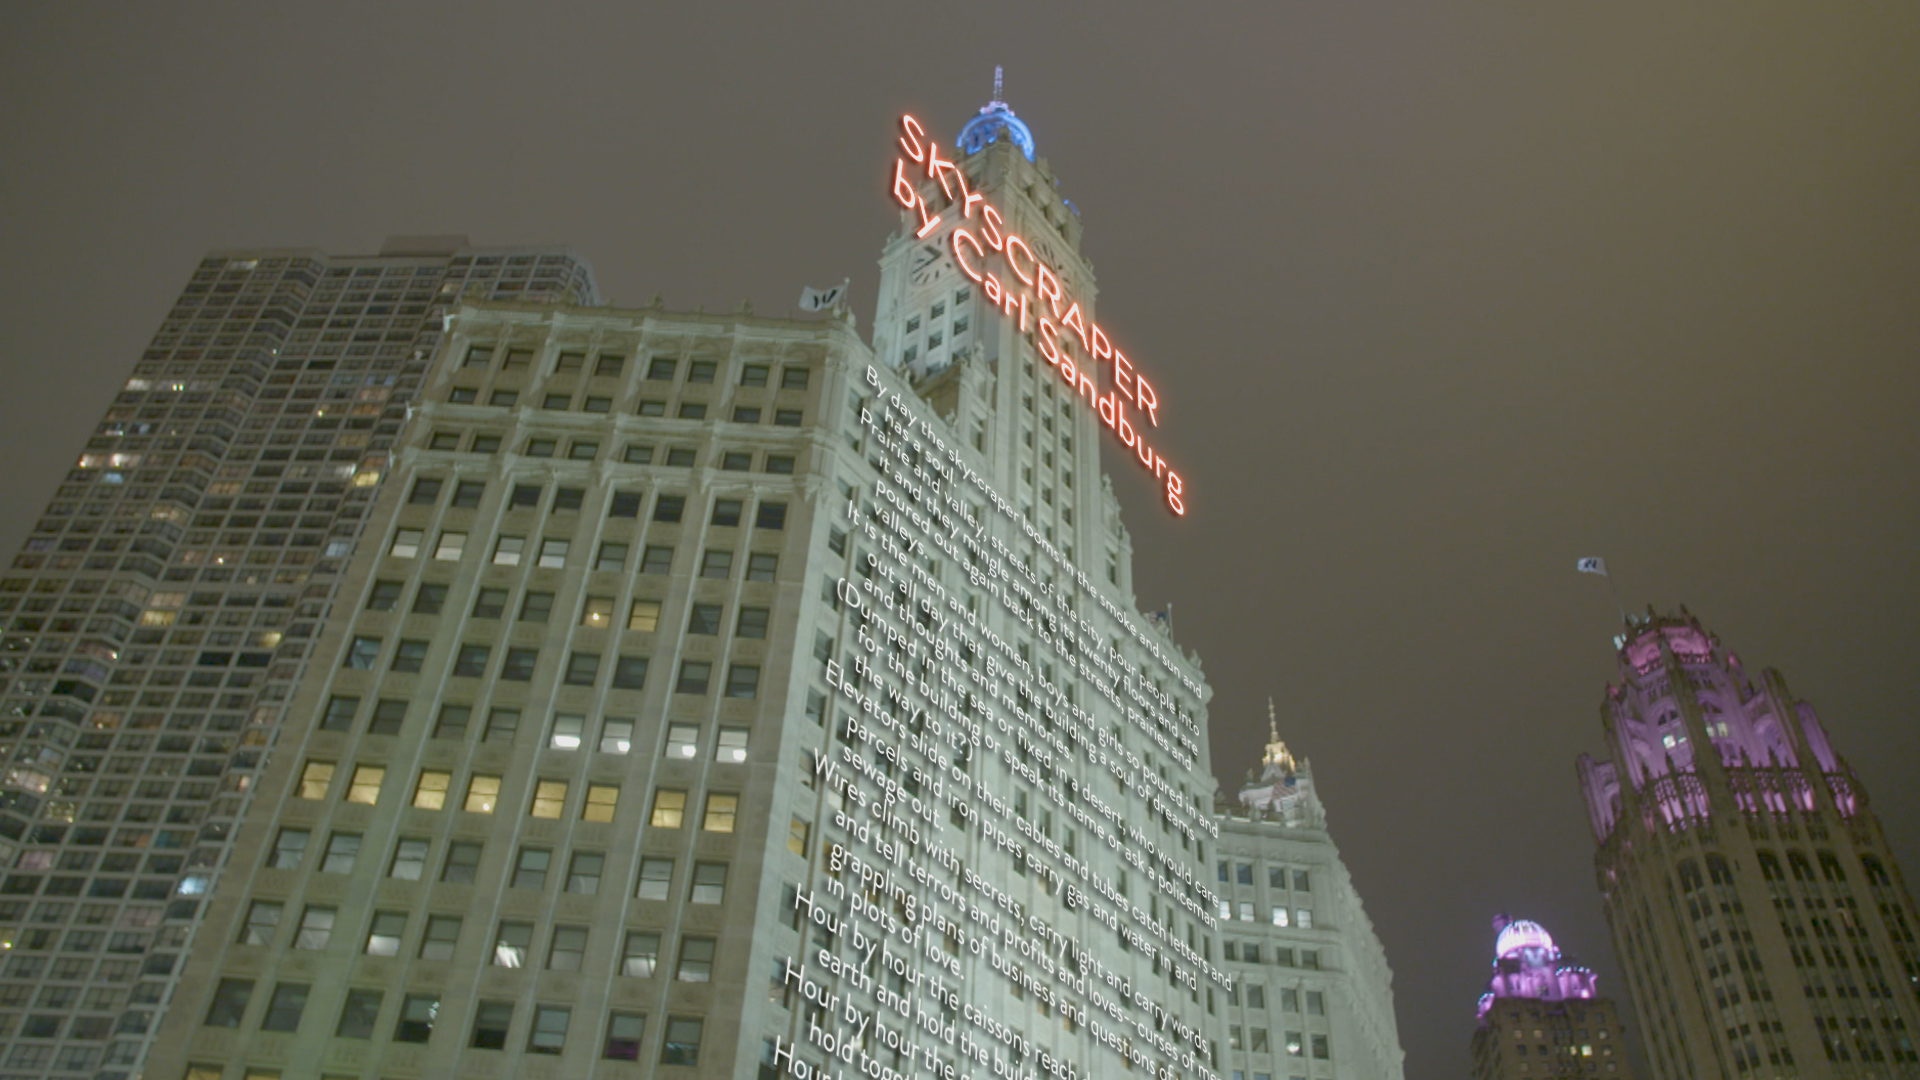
{"x": 420, "y": 1014}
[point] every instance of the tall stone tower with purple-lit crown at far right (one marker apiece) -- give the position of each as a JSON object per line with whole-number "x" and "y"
{"x": 1754, "y": 900}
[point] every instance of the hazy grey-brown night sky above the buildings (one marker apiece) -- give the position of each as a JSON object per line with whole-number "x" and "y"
{"x": 1437, "y": 303}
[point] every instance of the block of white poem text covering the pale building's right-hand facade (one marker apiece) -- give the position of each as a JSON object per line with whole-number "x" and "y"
{"x": 901, "y": 921}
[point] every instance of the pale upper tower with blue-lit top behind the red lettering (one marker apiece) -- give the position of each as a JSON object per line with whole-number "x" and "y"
{"x": 980, "y": 366}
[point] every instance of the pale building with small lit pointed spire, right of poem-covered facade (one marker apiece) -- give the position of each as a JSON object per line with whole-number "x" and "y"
{"x": 1312, "y": 989}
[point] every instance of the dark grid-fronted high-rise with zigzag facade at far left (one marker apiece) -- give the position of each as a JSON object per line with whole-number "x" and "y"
{"x": 168, "y": 601}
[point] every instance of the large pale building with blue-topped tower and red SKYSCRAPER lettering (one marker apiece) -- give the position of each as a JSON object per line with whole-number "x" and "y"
{"x": 723, "y": 697}
